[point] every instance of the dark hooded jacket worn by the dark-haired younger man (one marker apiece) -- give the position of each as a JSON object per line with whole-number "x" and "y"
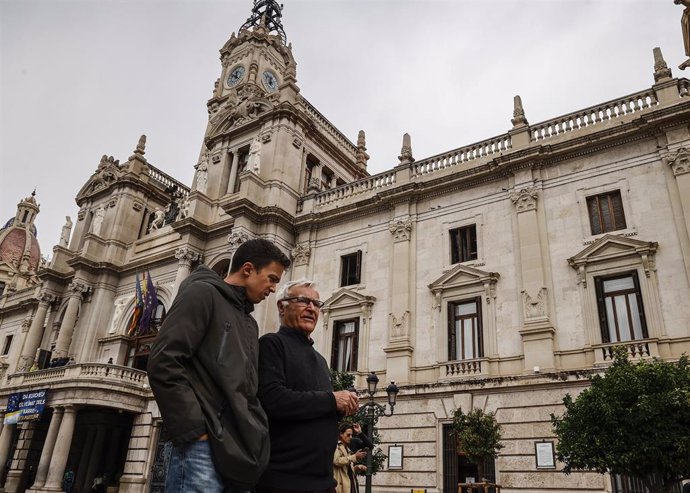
{"x": 203, "y": 373}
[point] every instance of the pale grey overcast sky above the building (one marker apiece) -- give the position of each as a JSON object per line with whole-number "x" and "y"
{"x": 79, "y": 79}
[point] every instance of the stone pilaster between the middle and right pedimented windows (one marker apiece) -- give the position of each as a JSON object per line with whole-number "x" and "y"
{"x": 537, "y": 331}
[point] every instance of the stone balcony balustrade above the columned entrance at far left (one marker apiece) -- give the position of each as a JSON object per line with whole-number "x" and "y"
{"x": 95, "y": 372}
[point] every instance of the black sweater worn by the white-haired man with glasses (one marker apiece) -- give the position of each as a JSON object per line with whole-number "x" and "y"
{"x": 296, "y": 392}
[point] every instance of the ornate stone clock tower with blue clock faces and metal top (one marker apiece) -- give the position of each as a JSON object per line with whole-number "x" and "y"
{"x": 265, "y": 145}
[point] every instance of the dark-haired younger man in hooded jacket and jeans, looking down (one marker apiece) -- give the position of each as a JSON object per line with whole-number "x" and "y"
{"x": 203, "y": 370}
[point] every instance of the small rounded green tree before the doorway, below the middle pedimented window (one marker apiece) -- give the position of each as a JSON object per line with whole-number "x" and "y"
{"x": 478, "y": 435}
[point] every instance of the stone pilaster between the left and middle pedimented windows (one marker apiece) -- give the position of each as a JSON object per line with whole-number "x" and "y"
{"x": 399, "y": 349}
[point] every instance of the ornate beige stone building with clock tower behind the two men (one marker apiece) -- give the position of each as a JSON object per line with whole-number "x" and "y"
{"x": 496, "y": 275}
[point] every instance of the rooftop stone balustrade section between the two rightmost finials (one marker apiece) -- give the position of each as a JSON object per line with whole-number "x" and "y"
{"x": 594, "y": 115}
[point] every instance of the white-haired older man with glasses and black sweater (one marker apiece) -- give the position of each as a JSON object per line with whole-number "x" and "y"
{"x": 296, "y": 392}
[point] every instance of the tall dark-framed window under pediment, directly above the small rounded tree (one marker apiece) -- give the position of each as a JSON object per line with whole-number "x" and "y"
{"x": 465, "y": 330}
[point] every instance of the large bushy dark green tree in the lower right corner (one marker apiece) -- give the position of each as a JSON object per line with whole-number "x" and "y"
{"x": 633, "y": 420}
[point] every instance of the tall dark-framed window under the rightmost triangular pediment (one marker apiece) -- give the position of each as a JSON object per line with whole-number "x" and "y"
{"x": 621, "y": 313}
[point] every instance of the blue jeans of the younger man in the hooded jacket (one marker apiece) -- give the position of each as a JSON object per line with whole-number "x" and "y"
{"x": 191, "y": 470}
